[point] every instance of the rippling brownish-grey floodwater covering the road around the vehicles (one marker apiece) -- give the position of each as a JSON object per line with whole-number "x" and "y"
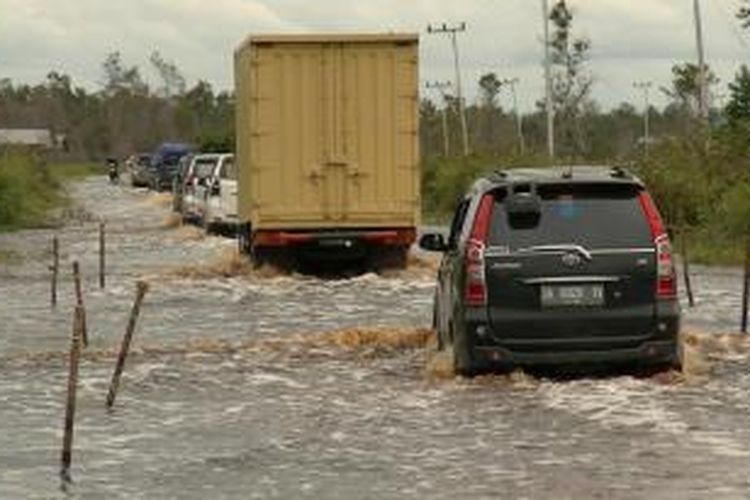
{"x": 234, "y": 390}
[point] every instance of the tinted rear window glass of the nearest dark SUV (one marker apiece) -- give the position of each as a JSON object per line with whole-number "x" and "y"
{"x": 594, "y": 216}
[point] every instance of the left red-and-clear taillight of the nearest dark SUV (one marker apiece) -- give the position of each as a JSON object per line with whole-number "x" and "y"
{"x": 476, "y": 284}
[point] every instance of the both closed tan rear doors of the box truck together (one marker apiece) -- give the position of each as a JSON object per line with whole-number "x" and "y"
{"x": 334, "y": 133}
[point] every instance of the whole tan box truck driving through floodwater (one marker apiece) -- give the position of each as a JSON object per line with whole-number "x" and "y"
{"x": 327, "y": 146}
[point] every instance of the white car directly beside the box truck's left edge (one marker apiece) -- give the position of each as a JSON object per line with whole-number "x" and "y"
{"x": 220, "y": 212}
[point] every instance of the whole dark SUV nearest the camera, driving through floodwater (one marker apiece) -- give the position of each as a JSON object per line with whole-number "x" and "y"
{"x": 556, "y": 266}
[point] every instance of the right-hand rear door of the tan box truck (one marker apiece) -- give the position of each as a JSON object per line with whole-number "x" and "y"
{"x": 380, "y": 131}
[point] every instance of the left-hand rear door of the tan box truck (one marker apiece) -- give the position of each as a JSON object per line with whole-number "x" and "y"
{"x": 289, "y": 129}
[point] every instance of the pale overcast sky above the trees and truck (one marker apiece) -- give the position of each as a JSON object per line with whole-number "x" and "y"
{"x": 632, "y": 39}
